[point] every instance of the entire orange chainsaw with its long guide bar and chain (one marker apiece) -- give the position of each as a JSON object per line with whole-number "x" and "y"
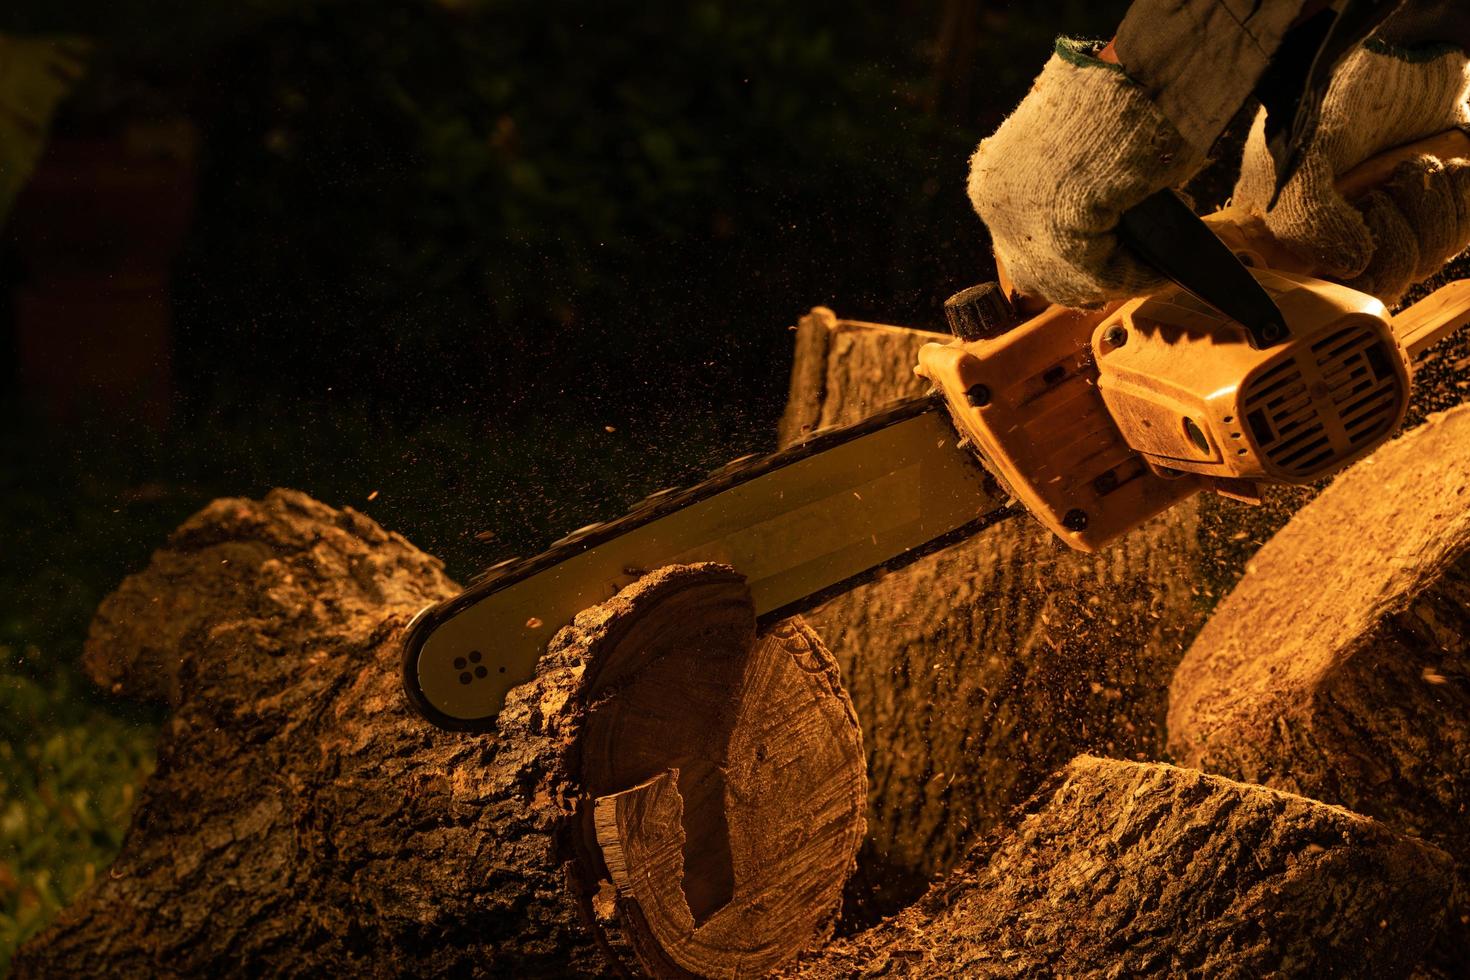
{"x": 1249, "y": 371}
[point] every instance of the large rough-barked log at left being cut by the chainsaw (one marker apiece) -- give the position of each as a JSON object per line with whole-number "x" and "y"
{"x": 665, "y": 771}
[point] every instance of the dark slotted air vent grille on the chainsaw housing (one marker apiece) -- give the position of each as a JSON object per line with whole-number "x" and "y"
{"x": 1325, "y": 403}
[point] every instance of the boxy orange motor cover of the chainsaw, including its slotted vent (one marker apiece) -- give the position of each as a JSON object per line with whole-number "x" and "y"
{"x": 1190, "y": 394}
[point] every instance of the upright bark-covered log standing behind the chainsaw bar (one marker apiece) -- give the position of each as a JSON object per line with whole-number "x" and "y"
{"x": 980, "y": 671}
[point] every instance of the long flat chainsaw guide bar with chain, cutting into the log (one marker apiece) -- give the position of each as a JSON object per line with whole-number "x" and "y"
{"x": 802, "y": 525}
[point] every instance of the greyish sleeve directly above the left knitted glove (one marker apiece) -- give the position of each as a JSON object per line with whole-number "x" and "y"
{"x": 1200, "y": 60}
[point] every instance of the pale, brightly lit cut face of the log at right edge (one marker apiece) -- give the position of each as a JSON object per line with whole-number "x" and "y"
{"x": 1362, "y": 553}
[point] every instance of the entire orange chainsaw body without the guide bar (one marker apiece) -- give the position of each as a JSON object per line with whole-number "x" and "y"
{"x": 1097, "y": 421}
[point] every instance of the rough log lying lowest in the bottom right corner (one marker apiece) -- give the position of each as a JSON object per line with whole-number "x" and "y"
{"x": 1146, "y": 871}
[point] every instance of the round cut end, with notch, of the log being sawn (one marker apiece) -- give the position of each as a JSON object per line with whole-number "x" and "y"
{"x": 728, "y": 782}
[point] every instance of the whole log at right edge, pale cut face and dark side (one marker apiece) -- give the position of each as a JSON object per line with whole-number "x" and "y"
{"x": 1340, "y": 666}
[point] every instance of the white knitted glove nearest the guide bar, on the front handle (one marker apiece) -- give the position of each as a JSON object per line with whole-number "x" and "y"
{"x": 1081, "y": 149}
